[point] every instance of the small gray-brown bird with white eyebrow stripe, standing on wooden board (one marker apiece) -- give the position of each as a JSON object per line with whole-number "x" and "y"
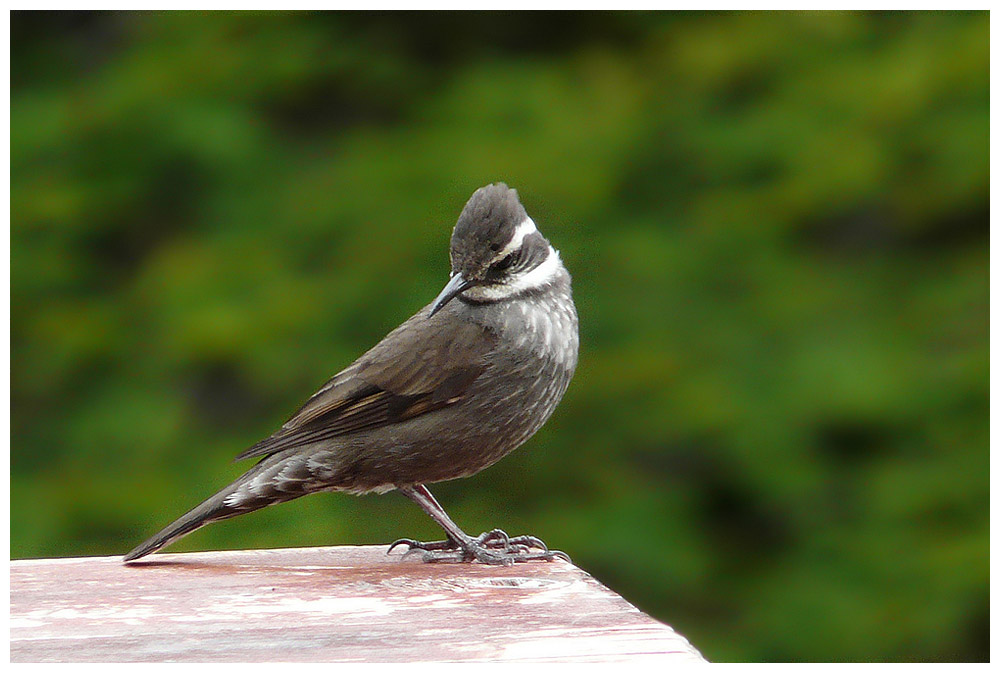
{"x": 451, "y": 391}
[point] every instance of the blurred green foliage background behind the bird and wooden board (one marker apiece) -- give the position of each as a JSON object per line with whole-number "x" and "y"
{"x": 777, "y": 224}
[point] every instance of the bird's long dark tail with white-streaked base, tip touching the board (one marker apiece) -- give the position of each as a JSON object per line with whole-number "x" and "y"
{"x": 246, "y": 494}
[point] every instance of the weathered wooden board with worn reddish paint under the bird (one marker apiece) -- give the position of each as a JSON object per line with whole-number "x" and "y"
{"x": 326, "y": 604}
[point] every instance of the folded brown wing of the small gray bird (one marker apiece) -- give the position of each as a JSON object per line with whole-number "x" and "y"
{"x": 418, "y": 368}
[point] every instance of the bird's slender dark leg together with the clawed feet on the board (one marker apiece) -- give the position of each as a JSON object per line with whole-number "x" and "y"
{"x": 494, "y": 547}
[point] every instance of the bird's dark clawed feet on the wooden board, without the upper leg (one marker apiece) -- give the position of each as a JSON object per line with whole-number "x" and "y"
{"x": 493, "y": 548}
